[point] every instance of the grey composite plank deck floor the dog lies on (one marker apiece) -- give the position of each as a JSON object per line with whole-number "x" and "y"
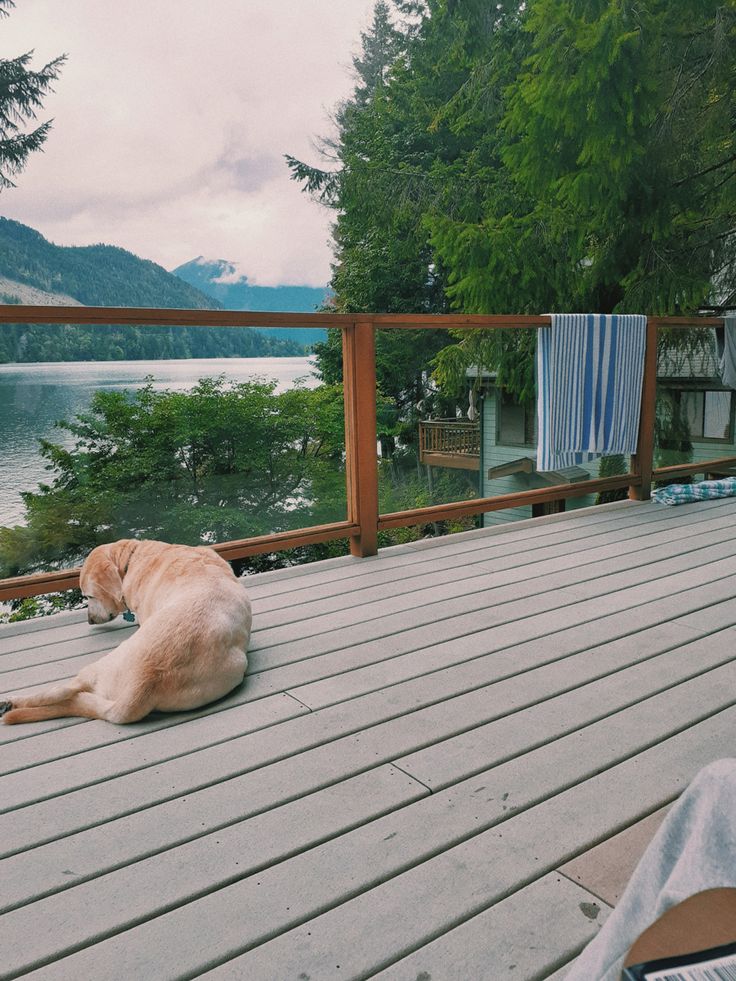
{"x": 439, "y": 765}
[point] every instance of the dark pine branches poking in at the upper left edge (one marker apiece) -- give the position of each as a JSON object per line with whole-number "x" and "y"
{"x": 21, "y": 95}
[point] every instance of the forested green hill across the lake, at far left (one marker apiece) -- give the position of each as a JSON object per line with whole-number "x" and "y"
{"x": 34, "y": 270}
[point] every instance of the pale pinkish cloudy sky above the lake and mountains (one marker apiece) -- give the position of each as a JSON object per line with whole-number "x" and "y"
{"x": 171, "y": 118}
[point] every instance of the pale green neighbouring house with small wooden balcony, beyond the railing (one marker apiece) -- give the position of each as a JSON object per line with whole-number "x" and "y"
{"x": 501, "y": 445}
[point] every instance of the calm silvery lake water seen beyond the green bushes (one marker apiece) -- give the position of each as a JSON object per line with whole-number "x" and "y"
{"x": 34, "y": 396}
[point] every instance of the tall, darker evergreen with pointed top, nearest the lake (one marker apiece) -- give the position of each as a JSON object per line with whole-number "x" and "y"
{"x": 383, "y": 260}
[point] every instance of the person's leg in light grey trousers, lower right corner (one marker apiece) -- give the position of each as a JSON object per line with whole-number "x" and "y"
{"x": 694, "y": 849}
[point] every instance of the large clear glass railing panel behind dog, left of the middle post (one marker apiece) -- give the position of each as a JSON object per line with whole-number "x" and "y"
{"x": 196, "y": 450}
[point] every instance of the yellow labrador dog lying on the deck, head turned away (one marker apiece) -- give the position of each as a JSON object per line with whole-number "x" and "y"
{"x": 190, "y": 649}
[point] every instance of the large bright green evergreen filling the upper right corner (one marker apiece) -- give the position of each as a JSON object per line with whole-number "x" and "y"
{"x": 614, "y": 183}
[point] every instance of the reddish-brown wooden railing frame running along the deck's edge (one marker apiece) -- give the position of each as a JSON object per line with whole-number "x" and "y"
{"x": 363, "y": 520}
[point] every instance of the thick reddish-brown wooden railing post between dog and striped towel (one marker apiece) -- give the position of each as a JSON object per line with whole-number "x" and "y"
{"x": 359, "y": 374}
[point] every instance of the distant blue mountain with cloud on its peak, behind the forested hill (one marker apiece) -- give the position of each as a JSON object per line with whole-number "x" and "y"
{"x": 224, "y": 282}
